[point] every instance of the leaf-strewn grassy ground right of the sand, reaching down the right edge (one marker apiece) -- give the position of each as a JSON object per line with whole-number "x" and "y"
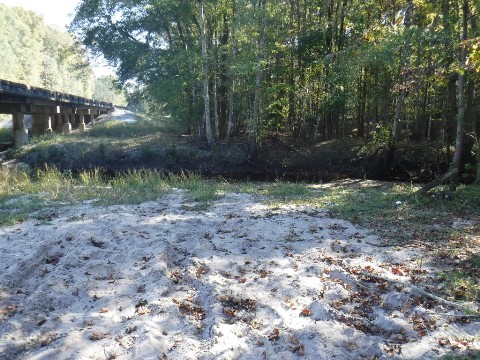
{"x": 447, "y": 224}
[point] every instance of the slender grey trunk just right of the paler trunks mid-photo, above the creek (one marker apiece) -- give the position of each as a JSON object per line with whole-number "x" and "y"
{"x": 258, "y": 79}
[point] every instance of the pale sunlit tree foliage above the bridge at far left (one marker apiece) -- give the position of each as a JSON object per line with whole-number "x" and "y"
{"x": 41, "y": 56}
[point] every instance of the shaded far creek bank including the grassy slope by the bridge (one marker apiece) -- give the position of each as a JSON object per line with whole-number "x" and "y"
{"x": 116, "y": 145}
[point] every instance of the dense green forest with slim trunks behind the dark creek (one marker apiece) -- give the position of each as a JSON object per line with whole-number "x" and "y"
{"x": 388, "y": 71}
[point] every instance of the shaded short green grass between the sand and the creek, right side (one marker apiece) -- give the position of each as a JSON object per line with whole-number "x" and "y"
{"x": 390, "y": 209}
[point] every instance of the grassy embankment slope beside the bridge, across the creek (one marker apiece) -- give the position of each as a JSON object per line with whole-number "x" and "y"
{"x": 107, "y": 143}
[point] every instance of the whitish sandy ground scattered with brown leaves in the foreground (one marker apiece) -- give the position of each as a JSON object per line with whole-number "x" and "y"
{"x": 239, "y": 281}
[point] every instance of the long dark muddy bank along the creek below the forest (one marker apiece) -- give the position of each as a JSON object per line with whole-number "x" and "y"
{"x": 324, "y": 162}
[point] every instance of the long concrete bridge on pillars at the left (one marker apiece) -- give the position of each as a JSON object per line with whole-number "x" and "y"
{"x": 51, "y": 111}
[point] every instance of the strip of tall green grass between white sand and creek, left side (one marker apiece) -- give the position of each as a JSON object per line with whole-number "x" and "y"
{"x": 22, "y": 193}
